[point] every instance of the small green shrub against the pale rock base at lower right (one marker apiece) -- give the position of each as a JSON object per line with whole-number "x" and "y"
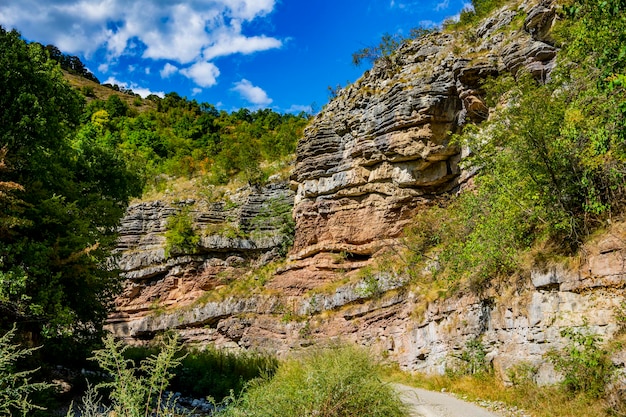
{"x": 586, "y": 366}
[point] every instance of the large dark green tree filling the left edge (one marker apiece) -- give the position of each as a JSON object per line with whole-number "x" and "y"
{"x": 59, "y": 223}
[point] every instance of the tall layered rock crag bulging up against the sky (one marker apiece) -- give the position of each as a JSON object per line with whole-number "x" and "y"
{"x": 382, "y": 148}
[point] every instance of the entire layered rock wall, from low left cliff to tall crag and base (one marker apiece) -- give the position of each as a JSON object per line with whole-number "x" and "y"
{"x": 367, "y": 163}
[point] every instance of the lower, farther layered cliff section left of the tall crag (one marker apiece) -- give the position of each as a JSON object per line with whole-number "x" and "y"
{"x": 241, "y": 231}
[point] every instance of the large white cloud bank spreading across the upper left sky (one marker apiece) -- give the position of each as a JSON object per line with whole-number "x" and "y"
{"x": 177, "y": 30}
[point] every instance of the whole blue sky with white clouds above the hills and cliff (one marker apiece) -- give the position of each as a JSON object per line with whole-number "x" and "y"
{"x": 278, "y": 54}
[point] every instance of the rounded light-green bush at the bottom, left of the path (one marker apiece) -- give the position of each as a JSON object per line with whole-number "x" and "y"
{"x": 339, "y": 381}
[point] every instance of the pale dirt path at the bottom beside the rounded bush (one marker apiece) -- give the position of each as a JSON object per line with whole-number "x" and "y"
{"x": 423, "y": 403}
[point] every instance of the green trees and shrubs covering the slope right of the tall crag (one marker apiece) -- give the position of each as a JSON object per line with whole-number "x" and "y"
{"x": 551, "y": 160}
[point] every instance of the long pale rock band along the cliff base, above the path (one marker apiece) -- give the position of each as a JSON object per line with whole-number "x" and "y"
{"x": 518, "y": 324}
